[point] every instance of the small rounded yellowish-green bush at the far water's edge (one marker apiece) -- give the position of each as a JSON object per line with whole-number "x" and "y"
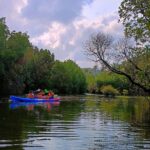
{"x": 109, "y": 90}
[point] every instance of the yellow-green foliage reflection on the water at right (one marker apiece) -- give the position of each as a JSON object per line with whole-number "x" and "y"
{"x": 133, "y": 110}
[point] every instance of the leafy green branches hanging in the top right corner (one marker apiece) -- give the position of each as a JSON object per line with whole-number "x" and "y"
{"x": 135, "y": 16}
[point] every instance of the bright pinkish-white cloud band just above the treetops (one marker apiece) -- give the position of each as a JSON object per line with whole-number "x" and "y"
{"x": 67, "y": 41}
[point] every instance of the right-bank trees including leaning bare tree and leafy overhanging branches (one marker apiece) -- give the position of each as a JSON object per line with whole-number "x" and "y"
{"x": 129, "y": 56}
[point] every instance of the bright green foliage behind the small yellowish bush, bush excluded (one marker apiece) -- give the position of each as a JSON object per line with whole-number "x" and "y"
{"x": 103, "y": 78}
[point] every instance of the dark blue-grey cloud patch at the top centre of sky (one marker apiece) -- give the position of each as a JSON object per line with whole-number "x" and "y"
{"x": 63, "y": 11}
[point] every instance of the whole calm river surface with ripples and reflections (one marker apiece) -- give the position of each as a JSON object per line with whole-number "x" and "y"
{"x": 76, "y": 123}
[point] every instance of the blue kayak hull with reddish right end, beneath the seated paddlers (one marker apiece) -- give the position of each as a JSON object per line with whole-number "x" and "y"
{"x": 25, "y": 99}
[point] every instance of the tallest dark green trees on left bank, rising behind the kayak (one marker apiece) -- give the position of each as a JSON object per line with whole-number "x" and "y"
{"x": 22, "y": 67}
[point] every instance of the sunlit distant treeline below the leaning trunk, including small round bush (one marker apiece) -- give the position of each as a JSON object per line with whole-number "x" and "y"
{"x": 109, "y": 83}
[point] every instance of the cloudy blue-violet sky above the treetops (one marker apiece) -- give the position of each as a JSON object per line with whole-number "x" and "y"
{"x": 62, "y": 26}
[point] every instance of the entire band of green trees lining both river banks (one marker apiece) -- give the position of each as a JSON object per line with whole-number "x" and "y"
{"x": 24, "y": 67}
